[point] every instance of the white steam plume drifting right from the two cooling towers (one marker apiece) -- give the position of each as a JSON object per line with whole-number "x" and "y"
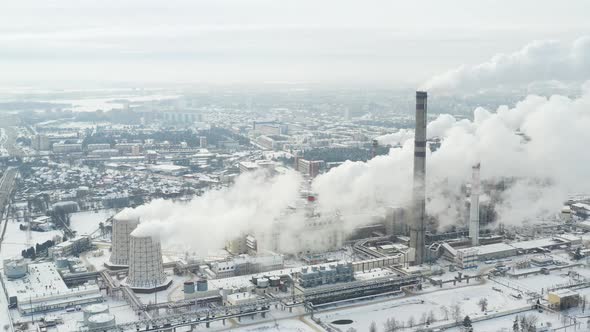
{"x": 253, "y": 202}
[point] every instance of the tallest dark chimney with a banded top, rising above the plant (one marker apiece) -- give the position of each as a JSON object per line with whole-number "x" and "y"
{"x": 417, "y": 228}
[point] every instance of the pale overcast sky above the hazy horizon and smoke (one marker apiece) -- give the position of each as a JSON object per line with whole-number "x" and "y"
{"x": 258, "y": 41}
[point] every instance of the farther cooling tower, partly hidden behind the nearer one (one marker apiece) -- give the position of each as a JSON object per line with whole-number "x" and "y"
{"x": 123, "y": 225}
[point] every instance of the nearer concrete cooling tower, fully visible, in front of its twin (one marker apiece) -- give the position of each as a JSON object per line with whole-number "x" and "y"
{"x": 146, "y": 270}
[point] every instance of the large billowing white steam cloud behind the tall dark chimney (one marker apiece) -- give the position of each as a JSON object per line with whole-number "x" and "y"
{"x": 541, "y": 144}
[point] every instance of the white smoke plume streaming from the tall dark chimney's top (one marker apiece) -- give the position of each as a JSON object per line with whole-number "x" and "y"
{"x": 537, "y": 65}
